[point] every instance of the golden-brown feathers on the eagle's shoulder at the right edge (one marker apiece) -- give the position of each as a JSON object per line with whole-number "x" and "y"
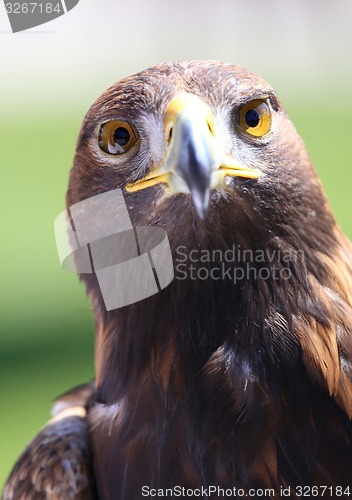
{"x": 327, "y": 341}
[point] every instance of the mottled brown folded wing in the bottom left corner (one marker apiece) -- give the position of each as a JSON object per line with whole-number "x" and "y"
{"x": 57, "y": 464}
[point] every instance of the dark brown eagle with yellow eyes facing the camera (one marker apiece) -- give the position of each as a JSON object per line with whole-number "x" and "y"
{"x": 211, "y": 382}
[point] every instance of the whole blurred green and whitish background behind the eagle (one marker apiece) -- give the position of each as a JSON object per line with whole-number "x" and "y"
{"x": 48, "y": 82}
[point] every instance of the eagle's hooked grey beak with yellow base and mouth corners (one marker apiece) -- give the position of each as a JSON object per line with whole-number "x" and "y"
{"x": 193, "y": 163}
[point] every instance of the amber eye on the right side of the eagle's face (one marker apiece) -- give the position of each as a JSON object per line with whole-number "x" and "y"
{"x": 255, "y": 118}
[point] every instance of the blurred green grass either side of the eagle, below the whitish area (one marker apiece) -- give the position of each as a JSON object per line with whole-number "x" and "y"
{"x": 47, "y": 333}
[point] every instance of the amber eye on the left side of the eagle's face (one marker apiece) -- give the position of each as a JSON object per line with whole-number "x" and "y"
{"x": 117, "y": 137}
